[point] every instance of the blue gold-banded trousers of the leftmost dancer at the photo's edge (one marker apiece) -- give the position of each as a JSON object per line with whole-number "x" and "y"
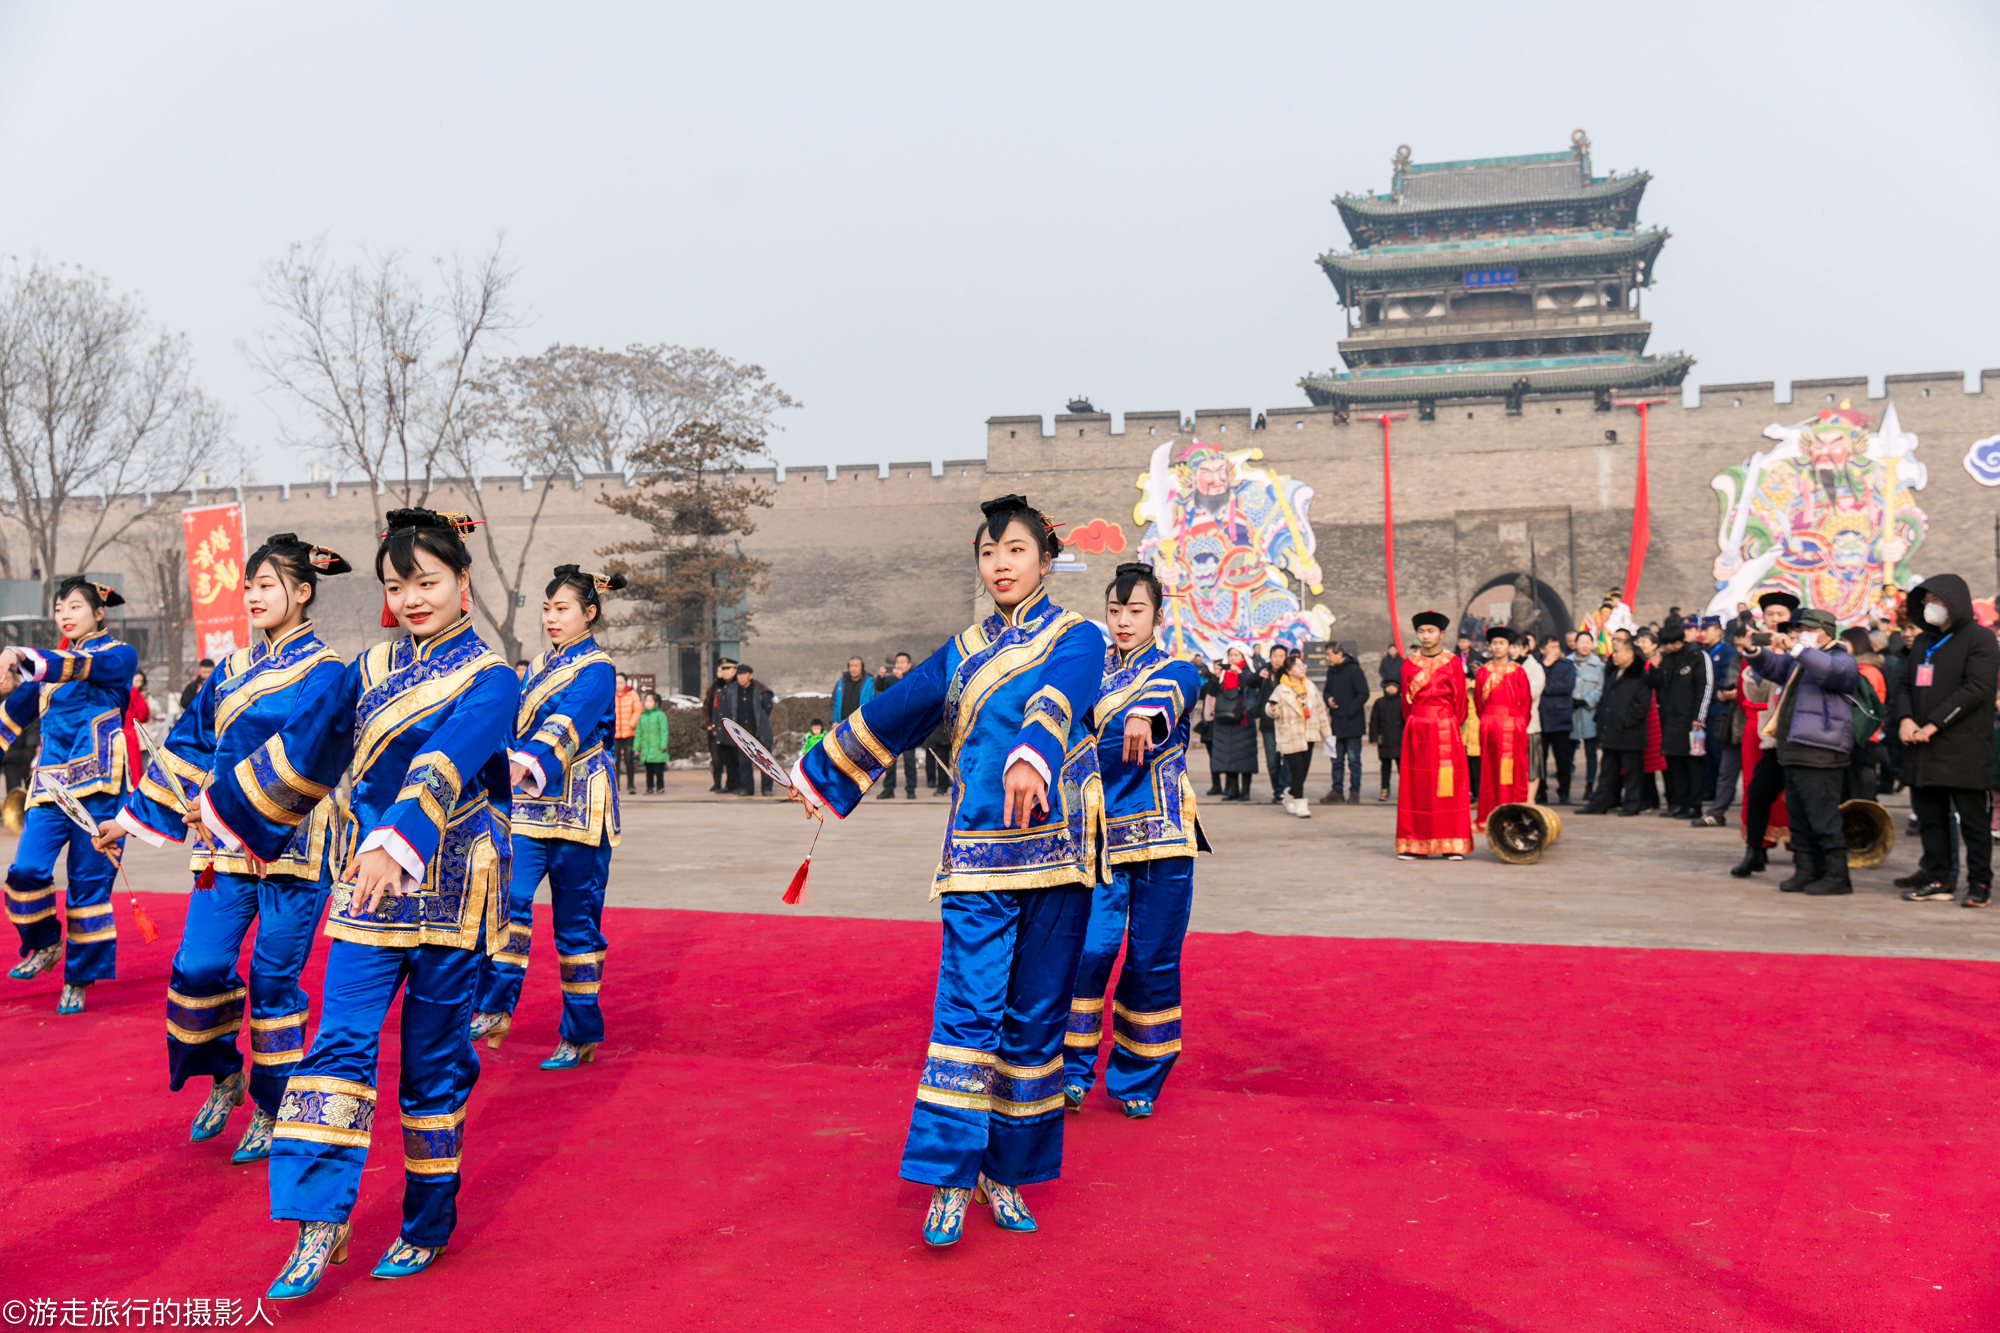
{"x": 31, "y": 892}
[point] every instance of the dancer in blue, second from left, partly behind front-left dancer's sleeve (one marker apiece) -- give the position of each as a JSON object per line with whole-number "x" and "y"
{"x": 247, "y": 700}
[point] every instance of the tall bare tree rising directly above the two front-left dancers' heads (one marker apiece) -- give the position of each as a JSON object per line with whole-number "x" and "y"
{"x": 377, "y": 361}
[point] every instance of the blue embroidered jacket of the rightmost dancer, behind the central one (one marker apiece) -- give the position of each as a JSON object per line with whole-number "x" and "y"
{"x": 1149, "y": 808}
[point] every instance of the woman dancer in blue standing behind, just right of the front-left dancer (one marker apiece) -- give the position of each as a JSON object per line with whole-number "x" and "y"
{"x": 567, "y": 824}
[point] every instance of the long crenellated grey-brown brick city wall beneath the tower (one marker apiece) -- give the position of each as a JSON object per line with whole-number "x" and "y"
{"x": 875, "y": 559}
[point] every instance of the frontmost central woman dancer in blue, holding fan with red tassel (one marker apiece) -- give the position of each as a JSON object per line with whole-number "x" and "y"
{"x": 1017, "y": 870}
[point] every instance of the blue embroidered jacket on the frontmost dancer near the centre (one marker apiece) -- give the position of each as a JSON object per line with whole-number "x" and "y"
{"x": 1009, "y": 686}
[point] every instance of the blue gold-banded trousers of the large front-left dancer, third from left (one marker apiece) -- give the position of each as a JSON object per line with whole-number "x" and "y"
{"x": 329, "y": 1108}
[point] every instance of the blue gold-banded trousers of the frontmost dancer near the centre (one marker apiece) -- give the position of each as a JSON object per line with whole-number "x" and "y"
{"x": 991, "y": 1098}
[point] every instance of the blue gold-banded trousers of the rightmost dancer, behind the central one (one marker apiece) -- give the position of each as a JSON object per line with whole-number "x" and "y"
{"x": 1147, "y": 910}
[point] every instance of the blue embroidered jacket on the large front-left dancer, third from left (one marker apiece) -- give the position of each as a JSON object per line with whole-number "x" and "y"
{"x": 423, "y": 732}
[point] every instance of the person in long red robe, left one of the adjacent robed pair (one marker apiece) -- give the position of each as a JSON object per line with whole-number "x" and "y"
{"x": 1433, "y": 818}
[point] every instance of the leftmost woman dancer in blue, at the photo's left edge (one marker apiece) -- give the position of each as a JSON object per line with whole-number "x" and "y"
{"x": 81, "y": 694}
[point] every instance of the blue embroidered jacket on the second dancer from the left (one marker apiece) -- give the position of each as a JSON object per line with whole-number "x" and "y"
{"x": 249, "y": 698}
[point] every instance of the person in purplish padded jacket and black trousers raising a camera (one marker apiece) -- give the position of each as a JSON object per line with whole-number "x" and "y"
{"x": 1813, "y": 726}
